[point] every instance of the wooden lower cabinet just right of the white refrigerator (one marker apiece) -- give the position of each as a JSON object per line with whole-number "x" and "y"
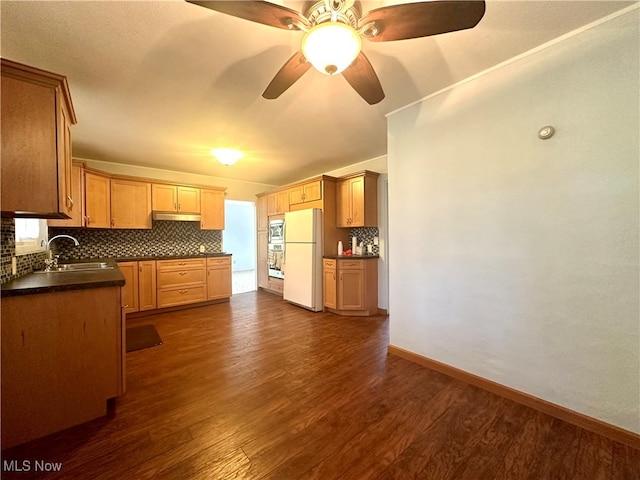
{"x": 351, "y": 286}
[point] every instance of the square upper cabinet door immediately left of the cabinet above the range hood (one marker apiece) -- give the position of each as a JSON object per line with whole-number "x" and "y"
{"x": 130, "y": 204}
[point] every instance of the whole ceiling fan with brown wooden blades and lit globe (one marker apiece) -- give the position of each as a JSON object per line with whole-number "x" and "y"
{"x": 333, "y": 31}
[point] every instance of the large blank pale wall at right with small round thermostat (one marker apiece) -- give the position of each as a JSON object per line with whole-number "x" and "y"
{"x": 515, "y": 258}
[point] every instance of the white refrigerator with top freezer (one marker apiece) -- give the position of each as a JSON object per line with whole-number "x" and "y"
{"x": 303, "y": 258}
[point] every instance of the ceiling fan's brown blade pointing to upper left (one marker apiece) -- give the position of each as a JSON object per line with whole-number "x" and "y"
{"x": 266, "y": 13}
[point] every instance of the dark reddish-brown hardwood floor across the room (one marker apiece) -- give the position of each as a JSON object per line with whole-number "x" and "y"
{"x": 260, "y": 389}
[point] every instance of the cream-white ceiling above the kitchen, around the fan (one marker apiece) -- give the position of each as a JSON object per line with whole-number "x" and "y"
{"x": 160, "y": 83}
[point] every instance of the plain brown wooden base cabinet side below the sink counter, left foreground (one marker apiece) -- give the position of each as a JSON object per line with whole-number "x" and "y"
{"x": 62, "y": 359}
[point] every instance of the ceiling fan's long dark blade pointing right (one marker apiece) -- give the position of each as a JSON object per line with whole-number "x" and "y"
{"x": 414, "y": 20}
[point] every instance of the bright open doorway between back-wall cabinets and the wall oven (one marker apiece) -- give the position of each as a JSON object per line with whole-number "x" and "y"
{"x": 239, "y": 239}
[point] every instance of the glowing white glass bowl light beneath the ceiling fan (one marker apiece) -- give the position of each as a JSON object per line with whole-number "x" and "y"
{"x": 331, "y": 47}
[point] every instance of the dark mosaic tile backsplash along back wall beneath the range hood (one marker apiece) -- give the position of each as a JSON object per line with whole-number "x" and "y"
{"x": 165, "y": 238}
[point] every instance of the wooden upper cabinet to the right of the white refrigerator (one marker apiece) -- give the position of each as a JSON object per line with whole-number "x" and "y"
{"x": 357, "y": 200}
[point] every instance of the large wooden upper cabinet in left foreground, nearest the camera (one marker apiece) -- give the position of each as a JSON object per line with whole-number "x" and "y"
{"x": 36, "y": 143}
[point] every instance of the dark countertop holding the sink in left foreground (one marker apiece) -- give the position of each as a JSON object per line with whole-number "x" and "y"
{"x": 33, "y": 283}
